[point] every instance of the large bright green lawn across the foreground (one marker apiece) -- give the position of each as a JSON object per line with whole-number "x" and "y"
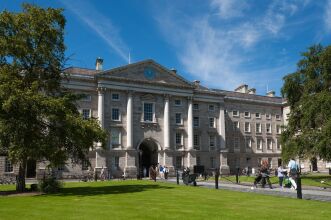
{"x": 149, "y": 200}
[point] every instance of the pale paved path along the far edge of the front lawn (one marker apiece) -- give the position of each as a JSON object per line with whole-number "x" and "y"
{"x": 313, "y": 193}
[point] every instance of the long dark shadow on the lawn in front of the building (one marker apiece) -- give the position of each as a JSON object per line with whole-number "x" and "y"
{"x": 104, "y": 190}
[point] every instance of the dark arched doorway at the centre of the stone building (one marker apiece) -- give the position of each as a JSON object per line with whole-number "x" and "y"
{"x": 148, "y": 156}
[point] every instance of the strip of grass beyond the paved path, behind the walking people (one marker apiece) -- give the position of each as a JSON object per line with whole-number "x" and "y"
{"x": 306, "y": 180}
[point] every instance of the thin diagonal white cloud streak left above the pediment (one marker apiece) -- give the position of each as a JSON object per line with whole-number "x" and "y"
{"x": 100, "y": 24}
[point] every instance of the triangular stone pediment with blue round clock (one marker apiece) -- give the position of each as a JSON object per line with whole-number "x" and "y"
{"x": 146, "y": 71}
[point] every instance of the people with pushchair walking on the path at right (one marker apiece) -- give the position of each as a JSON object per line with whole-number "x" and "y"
{"x": 291, "y": 173}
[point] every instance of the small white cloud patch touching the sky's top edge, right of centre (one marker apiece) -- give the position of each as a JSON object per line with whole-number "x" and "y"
{"x": 229, "y": 8}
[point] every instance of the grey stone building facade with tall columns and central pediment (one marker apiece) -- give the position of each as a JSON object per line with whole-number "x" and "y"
{"x": 153, "y": 115}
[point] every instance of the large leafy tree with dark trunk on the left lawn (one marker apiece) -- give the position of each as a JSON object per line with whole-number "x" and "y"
{"x": 38, "y": 116}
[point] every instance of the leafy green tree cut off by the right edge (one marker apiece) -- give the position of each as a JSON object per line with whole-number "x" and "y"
{"x": 308, "y": 94}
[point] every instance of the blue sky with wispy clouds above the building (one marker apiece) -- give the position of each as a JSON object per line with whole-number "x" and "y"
{"x": 222, "y": 43}
